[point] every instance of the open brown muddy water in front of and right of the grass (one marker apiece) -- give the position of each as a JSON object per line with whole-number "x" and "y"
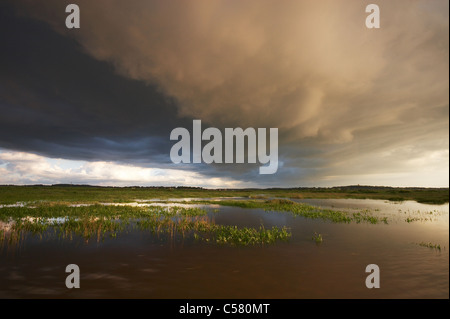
{"x": 138, "y": 264}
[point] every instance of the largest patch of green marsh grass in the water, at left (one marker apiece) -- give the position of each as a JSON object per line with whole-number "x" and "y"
{"x": 100, "y": 221}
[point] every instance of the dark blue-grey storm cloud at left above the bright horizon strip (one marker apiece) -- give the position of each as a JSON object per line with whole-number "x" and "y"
{"x": 57, "y": 101}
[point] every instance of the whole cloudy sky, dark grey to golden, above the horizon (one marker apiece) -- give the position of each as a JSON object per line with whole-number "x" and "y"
{"x": 96, "y": 105}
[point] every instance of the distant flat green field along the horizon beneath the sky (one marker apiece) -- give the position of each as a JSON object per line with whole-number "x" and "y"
{"x": 92, "y": 194}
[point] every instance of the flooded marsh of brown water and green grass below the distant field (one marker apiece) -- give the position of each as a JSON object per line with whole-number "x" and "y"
{"x": 186, "y": 256}
